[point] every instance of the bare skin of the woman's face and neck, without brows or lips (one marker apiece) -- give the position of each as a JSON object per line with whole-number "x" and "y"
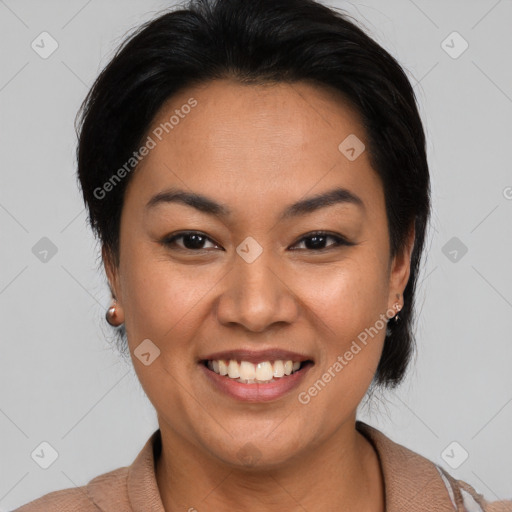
{"x": 257, "y": 149}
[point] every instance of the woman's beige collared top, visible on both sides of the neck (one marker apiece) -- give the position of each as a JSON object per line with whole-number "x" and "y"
{"x": 412, "y": 484}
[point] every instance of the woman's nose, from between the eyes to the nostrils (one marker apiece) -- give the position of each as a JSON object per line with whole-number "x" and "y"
{"x": 257, "y": 295}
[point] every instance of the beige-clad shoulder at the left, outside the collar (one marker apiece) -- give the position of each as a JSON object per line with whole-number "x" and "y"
{"x": 104, "y": 492}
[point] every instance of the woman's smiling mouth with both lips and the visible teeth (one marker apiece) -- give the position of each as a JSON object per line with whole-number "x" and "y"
{"x": 255, "y": 376}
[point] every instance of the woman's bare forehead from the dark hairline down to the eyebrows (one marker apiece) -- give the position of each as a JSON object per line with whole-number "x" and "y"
{"x": 244, "y": 141}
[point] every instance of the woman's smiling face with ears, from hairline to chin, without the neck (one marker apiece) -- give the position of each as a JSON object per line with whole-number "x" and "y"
{"x": 246, "y": 276}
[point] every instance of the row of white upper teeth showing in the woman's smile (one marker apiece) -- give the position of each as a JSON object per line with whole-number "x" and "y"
{"x": 248, "y": 372}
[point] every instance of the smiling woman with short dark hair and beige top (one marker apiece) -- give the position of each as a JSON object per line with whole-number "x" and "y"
{"x": 256, "y": 174}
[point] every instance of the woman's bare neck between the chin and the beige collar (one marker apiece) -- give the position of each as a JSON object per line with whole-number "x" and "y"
{"x": 342, "y": 473}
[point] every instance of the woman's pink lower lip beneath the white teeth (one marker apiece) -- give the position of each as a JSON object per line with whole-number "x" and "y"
{"x": 256, "y": 392}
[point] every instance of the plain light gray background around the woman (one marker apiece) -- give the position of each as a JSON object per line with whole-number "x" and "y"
{"x": 60, "y": 380}
